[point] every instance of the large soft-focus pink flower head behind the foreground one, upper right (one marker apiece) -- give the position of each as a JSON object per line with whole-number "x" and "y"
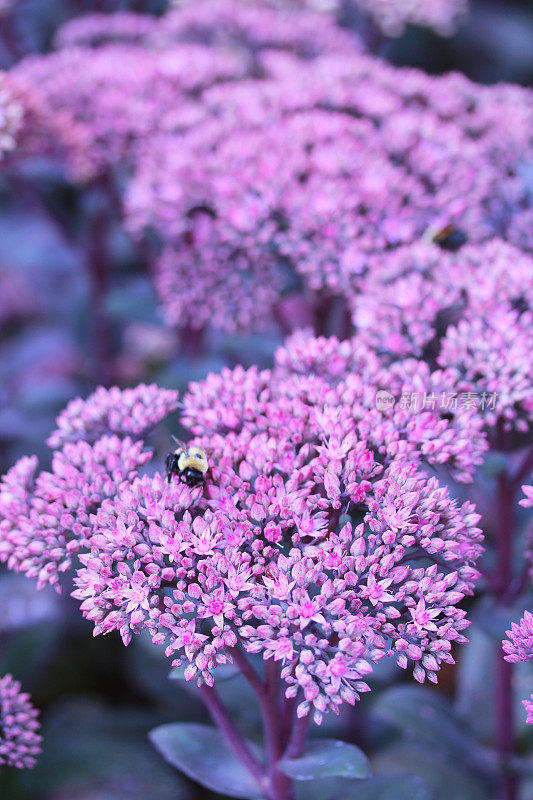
{"x": 315, "y": 181}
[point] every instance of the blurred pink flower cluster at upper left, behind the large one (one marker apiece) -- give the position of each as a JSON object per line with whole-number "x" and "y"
{"x": 109, "y": 99}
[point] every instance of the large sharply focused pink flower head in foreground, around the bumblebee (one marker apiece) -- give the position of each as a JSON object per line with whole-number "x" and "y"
{"x": 318, "y": 541}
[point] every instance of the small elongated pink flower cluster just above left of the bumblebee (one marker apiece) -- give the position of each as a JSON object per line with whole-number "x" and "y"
{"x": 130, "y": 412}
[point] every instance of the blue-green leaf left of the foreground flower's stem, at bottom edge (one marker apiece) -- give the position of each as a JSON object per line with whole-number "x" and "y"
{"x": 202, "y": 753}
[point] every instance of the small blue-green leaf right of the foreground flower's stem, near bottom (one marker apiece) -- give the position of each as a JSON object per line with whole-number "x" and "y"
{"x": 327, "y": 758}
